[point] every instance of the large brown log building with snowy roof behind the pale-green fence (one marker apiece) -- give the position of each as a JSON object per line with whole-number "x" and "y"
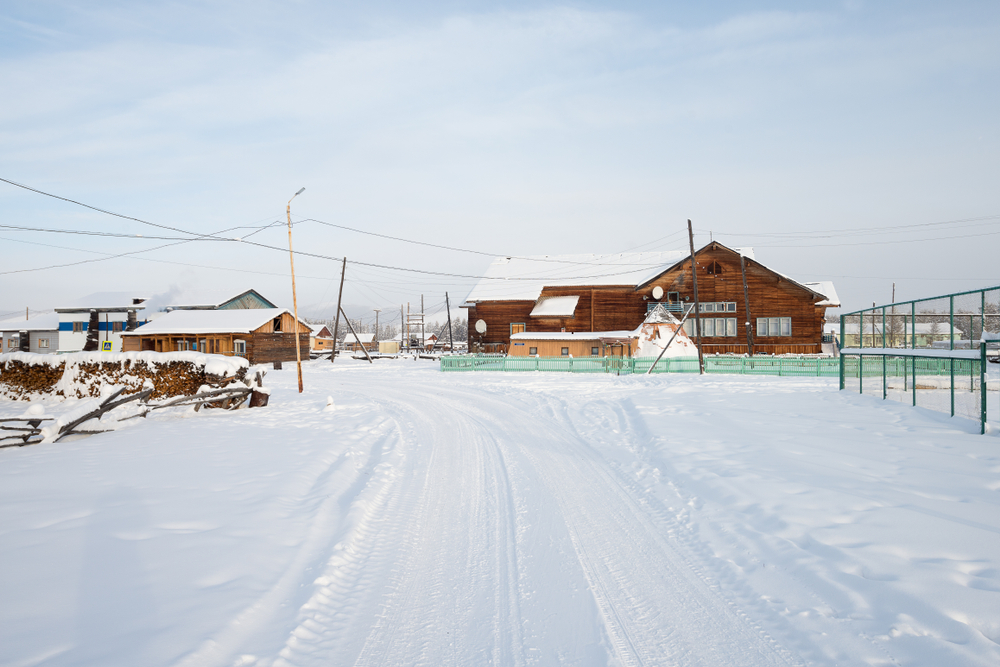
{"x": 615, "y": 292}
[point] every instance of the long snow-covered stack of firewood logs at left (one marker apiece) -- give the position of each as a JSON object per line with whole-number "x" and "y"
{"x": 25, "y": 376}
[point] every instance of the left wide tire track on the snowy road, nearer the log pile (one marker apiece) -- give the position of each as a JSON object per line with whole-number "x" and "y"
{"x": 438, "y": 604}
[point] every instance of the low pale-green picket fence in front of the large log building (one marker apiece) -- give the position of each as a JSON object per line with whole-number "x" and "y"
{"x": 777, "y": 366}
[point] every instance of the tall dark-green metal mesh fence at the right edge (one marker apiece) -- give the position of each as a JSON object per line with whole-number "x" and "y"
{"x": 930, "y": 352}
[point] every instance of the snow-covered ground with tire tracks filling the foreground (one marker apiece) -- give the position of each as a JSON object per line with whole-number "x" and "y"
{"x": 432, "y": 518}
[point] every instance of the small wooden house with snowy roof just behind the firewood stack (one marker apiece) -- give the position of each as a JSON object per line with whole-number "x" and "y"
{"x": 262, "y": 335}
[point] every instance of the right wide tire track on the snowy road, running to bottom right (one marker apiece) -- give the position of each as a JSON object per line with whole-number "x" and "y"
{"x": 657, "y": 607}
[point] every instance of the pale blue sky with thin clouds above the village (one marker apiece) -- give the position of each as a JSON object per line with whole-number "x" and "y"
{"x": 857, "y": 142}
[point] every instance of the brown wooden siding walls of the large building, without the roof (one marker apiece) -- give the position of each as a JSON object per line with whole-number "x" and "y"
{"x": 611, "y": 308}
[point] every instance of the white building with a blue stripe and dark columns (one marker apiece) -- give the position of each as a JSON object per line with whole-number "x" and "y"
{"x": 97, "y": 320}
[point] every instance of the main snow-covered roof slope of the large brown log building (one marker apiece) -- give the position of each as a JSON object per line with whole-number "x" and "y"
{"x": 522, "y": 278}
